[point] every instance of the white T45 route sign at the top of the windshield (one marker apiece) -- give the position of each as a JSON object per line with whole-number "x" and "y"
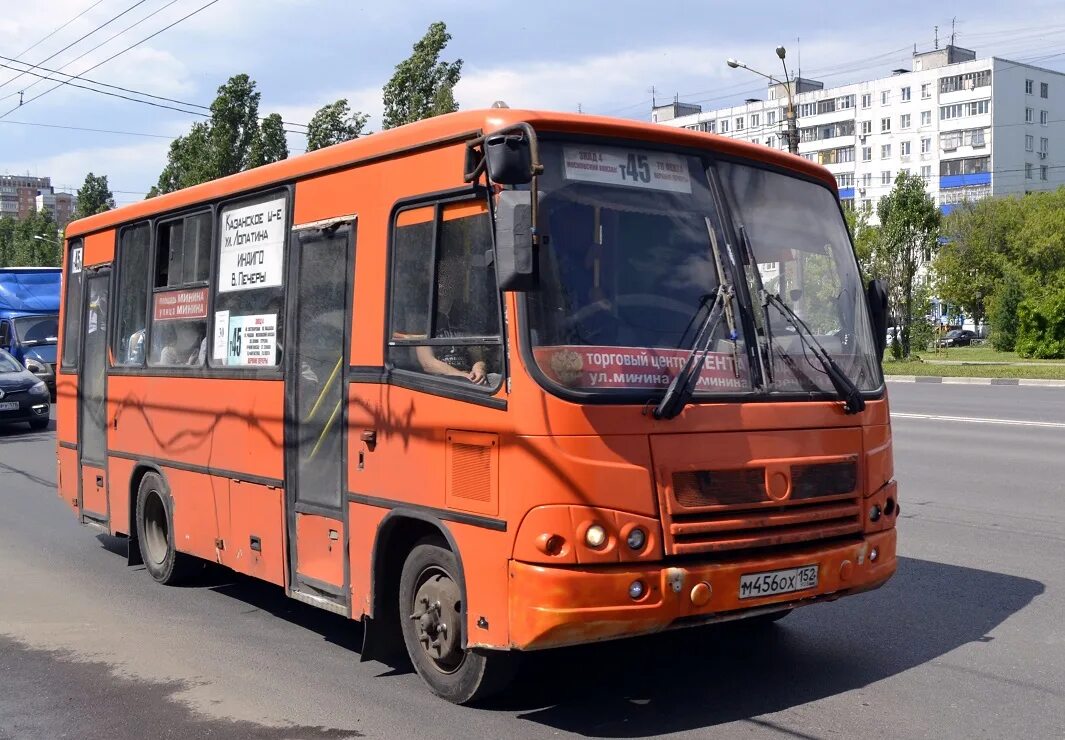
{"x": 654, "y": 171}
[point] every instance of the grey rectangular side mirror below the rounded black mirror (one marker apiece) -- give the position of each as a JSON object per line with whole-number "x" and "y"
{"x": 517, "y": 252}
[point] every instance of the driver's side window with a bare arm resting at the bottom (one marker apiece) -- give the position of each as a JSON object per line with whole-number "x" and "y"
{"x": 451, "y": 331}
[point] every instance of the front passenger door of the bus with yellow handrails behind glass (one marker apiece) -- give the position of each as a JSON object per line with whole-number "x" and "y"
{"x": 321, "y": 270}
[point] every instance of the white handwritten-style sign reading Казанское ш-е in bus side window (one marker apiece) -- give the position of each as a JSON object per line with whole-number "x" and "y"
{"x": 253, "y": 246}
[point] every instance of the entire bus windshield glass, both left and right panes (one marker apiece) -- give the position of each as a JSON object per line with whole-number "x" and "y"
{"x": 635, "y": 254}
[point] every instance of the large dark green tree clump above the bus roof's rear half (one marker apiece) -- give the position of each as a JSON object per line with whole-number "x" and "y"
{"x": 231, "y": 142}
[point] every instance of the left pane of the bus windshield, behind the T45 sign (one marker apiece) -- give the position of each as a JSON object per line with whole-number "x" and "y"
{"x": 632, "y": 266}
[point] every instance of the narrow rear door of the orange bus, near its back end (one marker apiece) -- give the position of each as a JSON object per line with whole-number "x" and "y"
{"x": 93, "y": 399}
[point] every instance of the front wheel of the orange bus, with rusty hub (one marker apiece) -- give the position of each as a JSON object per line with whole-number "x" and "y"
{"x": 461, "y": 677}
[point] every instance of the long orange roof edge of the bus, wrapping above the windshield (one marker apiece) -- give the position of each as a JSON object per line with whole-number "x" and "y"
{"x": 434, "y": 133}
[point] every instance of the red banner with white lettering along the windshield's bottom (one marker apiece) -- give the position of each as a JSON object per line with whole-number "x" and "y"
{"x": 583, "y": 367}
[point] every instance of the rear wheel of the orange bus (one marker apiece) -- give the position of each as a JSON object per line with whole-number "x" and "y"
{"x": 155, "y": 534}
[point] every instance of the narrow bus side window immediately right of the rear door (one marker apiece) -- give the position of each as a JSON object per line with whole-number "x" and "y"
{"x": 132, "y": 303}
